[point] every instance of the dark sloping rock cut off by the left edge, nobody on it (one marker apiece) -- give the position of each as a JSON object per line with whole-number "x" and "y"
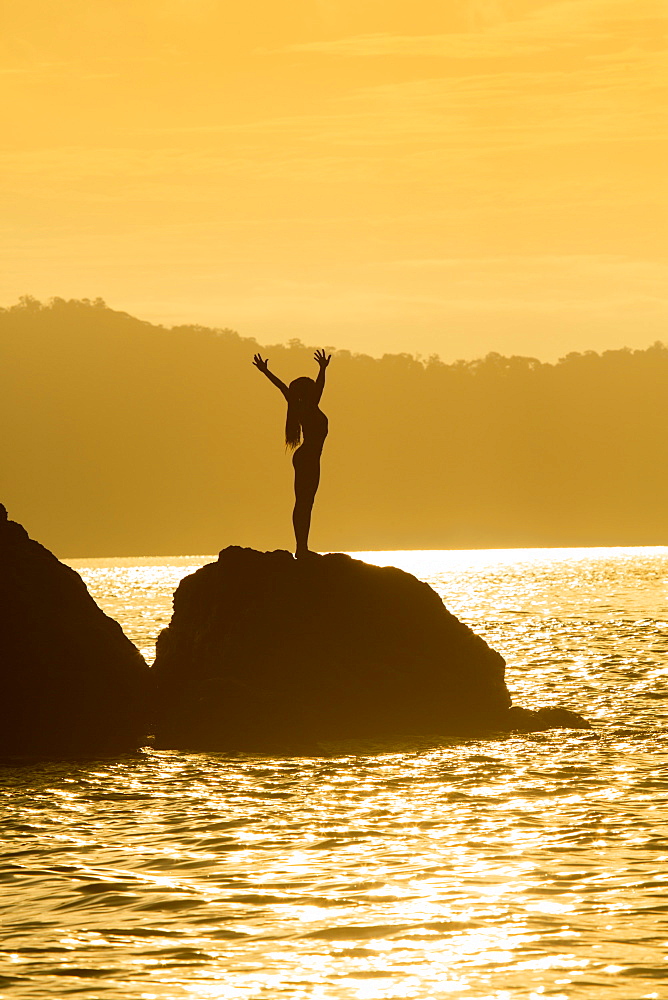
{"x": 71, "y": 680}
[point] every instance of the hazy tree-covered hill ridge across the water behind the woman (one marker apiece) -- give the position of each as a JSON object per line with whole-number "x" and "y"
{"x": 125, "y": 438}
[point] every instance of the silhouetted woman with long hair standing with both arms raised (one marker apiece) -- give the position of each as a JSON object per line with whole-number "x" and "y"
{"x": 305, "y": 419}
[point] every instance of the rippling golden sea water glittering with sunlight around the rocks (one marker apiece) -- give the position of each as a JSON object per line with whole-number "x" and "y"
{"x": 520, "y": 867}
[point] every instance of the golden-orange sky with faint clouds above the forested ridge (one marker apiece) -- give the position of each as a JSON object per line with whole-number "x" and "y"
{"x": 381, "y": 175}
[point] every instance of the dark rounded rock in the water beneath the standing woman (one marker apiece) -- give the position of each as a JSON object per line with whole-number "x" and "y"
{"x": 264, "y": 652}
